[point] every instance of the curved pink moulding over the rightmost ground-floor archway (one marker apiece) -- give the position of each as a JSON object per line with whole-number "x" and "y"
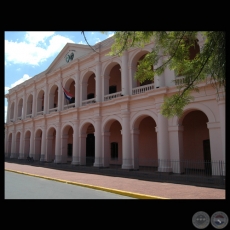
{"x": 194, "y": 106}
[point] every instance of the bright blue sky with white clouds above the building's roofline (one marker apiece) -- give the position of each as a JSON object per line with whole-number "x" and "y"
{"x": 29, "y": 53}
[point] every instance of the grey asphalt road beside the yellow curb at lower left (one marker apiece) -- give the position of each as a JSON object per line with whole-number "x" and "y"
{"x": 18, "y": 186}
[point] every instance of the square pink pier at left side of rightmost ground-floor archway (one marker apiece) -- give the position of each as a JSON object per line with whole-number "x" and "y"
{"x": 176, "y": 147}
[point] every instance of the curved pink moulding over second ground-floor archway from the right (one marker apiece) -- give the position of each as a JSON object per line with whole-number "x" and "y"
{"x": 137, "y": 117}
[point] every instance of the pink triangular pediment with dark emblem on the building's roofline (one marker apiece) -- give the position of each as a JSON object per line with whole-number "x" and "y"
{"x": 69, "y": 53}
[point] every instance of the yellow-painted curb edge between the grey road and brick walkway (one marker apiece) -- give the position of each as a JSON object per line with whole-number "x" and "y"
{"x": 120, "y": 192}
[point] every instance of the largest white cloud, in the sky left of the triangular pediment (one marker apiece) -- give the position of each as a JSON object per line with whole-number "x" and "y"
{"x": 29, "y": 52}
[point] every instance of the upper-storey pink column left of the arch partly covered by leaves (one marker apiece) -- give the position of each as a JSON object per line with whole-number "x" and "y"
{"x": 124, "y": 74}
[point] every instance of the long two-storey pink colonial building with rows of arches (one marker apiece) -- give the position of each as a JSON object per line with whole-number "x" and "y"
{"x": 114, "y": 119}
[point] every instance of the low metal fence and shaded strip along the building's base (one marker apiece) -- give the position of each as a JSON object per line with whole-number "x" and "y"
{"x": 199, "y": 173}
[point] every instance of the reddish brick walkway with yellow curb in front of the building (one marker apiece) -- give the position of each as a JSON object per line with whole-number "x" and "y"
{"x": 130, "y": 187}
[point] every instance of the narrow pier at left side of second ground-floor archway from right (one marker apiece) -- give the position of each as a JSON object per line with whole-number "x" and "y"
{"x": 135, "y": 148}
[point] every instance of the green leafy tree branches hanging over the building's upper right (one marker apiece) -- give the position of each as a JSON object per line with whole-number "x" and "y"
{"x": 179, "y": 51}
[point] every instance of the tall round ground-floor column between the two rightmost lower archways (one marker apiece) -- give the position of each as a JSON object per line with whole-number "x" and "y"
{"x": 163, "y": 143}
